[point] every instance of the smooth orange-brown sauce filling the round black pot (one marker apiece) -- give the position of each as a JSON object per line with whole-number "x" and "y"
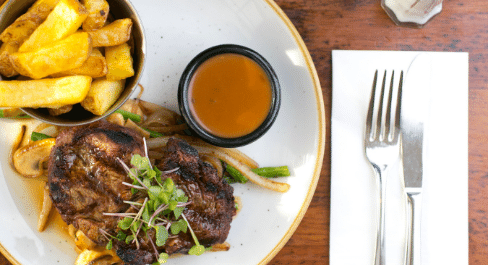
{"x": 230, "y": 95}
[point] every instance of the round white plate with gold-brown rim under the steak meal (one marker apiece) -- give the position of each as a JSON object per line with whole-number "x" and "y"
{"x": 176, "y": 31}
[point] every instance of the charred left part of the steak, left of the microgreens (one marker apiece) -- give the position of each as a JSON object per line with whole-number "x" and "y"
{"x": 85, "y": 179}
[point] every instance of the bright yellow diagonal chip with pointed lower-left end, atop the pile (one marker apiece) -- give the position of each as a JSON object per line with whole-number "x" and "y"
{"x": 64, "y": 20}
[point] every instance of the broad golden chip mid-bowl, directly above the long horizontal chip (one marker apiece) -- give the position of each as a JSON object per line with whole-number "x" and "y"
{"x": 66, "y": 54}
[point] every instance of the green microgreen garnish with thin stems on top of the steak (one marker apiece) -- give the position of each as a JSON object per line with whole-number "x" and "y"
{"x": 161, "y": 210}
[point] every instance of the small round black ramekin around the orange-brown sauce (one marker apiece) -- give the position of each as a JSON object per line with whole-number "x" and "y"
{"x": 184, "y": 105}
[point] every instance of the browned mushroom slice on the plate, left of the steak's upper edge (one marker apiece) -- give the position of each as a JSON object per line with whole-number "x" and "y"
{"x": 28, "y": 160}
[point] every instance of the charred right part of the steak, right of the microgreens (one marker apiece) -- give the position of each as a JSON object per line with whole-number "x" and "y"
{"x": 212, "y": 201}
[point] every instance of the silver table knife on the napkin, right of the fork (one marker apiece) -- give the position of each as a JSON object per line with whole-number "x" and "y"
{"x": 414, "y": 109}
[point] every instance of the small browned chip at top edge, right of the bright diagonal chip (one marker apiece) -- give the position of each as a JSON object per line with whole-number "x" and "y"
{"x": 98, "y": 12}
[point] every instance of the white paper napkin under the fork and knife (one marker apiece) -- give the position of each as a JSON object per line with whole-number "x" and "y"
{"x": 353, "y": 188}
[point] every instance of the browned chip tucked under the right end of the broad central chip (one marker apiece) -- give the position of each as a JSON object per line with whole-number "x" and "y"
{"x": 95, "y": 66}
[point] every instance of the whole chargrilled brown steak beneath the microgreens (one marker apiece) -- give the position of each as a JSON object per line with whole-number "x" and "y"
{"x": 85, "y": 181}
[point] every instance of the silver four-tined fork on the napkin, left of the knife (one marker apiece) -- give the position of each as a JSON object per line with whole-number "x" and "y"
{"x": 382, "y": 147}
